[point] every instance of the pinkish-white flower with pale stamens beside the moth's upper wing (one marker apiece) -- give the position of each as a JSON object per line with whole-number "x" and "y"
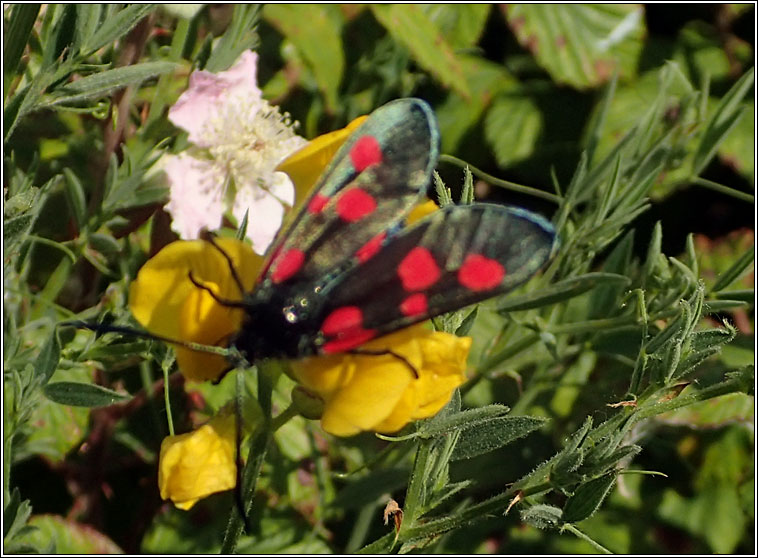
{"x": 239, "y": 140}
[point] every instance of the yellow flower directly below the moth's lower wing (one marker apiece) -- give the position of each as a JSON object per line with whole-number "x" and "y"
{"x": 381, "y": 393}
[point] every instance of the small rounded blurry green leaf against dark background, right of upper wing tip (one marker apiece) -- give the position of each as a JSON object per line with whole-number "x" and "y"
{"x": 512, "y": 127}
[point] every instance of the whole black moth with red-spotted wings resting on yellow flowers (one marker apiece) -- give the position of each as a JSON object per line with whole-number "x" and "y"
{"x": 346, "y": 270}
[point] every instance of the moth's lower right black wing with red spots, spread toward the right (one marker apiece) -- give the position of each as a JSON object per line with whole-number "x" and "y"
{"x": 455, "y": 257}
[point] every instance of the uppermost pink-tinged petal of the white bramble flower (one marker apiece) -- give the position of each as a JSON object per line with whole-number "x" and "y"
{"x": 209, "y": 94}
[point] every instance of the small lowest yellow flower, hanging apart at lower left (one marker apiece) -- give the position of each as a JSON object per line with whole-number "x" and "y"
{"x": 200, "y": 463}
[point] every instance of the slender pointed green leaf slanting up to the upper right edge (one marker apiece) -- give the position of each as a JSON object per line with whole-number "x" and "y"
{"x": 721, "y": 122}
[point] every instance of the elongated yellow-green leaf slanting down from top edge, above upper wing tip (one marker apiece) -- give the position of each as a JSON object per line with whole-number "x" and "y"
{"x": 412, "y": 28}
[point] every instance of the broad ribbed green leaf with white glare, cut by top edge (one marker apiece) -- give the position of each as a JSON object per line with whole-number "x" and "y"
{"x": 580, "y": 44}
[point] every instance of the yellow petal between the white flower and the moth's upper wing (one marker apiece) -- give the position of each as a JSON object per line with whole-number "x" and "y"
{"x": 306, "y": 165}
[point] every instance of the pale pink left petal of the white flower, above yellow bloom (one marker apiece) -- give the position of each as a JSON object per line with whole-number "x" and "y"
{"x": 195, "y": 195}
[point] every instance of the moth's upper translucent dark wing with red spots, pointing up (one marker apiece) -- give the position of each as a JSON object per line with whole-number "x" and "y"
{"x": 373, "y": 181}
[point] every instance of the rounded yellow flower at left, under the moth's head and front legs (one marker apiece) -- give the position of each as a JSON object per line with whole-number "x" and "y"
{"x": 167, "y": 303}
